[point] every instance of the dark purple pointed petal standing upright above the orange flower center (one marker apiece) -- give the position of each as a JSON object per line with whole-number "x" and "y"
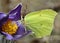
{"x": 15, "y": 14}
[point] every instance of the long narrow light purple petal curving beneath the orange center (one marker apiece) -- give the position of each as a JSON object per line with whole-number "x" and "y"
{"x": 16, "y": 37}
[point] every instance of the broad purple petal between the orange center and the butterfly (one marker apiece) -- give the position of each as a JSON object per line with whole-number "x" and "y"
{"x": 21, "y": 32}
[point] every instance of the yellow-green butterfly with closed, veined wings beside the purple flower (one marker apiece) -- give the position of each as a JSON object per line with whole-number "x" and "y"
{"x": 41, "y": 22}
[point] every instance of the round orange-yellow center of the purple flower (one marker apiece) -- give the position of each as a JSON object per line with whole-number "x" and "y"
{"x": 9, "y": 27}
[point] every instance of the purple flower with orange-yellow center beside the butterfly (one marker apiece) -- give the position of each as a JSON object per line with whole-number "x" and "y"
{"x": 11, "y": 21}
